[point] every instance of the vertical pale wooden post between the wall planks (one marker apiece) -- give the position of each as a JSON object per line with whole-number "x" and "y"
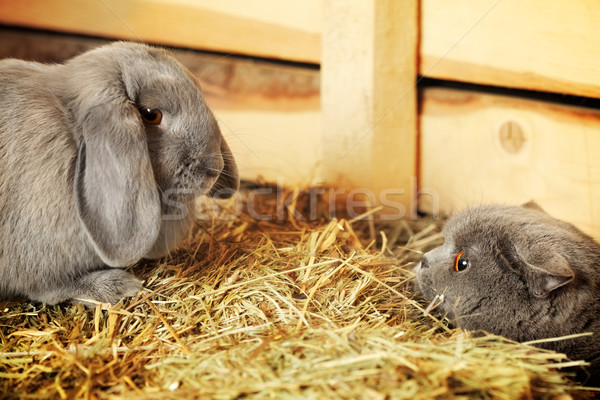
{"x": 369, "y": 98}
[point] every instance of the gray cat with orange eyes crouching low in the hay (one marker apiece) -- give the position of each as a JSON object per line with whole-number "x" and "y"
{"x": 519, "y": 273}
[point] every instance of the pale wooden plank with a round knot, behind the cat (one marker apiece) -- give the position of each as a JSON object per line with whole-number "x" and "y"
{"x": 480, "y": 148}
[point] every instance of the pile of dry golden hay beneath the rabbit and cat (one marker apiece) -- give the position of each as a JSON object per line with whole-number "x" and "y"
{"x": 270, "y": 309}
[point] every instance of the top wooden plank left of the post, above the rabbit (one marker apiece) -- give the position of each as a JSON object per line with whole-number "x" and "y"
{"x": 284, "y": 29}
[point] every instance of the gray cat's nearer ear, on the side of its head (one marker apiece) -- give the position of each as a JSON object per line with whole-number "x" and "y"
{"x": 545, "y": 270}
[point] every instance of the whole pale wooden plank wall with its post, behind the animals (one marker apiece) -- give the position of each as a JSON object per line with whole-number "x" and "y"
{"x": 474, "y": 146}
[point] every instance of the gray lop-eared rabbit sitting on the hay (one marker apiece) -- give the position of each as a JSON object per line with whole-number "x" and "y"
{"x": 101, "y": 159}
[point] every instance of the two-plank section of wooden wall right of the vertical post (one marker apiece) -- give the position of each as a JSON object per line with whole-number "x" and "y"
{"x": 481, "y": 148}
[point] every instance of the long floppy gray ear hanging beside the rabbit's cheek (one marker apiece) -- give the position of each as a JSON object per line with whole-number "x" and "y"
{"x": 116, "y": 195}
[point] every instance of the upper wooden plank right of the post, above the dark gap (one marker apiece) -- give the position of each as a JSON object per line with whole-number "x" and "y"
{"x": 539, "y": 45}
